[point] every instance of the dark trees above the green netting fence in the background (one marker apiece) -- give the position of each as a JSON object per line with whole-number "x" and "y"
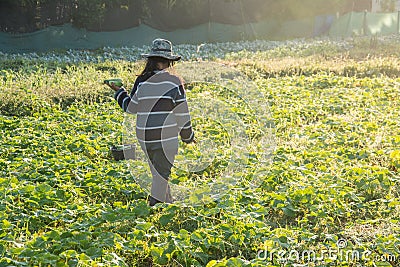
{"x": 166, "y": 15}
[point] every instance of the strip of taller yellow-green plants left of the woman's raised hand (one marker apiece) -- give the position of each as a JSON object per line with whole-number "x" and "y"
{"x": 31, "y": 85}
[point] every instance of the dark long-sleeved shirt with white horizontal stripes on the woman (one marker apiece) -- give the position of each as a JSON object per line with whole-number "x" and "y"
{"x": 162, "y": 111}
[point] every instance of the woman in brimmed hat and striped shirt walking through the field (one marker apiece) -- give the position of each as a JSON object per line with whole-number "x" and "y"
{"x": 159, "y": 100}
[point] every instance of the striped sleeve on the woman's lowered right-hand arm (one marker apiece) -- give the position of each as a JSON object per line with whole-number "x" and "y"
{"x": 181, "y": 111}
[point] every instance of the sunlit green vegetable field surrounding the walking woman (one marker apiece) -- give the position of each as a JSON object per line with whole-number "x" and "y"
{"x": 330, "y": 196}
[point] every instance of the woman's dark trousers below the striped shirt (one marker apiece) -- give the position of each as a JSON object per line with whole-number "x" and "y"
{"x": 161, "y": 162}
